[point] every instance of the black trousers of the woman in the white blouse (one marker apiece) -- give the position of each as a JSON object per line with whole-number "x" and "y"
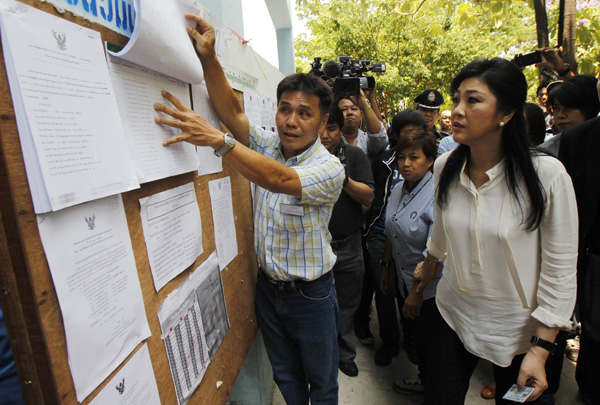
{"x": 450, "y": 367}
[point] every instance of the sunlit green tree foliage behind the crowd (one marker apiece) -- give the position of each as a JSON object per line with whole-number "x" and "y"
{"x": 424, "y": 43}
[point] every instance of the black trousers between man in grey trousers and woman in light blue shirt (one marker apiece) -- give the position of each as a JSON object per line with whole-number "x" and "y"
{"x": 385, "y": 305}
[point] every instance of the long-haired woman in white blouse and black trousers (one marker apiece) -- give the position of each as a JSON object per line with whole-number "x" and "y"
{"x": 506, "y": 225}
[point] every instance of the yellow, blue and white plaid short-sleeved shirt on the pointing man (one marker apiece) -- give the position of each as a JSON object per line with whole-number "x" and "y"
{"x": 289, "y": 246}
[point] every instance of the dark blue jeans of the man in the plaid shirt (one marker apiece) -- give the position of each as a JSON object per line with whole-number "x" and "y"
{"x": 300, "y": 329}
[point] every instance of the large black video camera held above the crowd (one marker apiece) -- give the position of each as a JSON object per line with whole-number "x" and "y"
{"x": 347, "y": 75}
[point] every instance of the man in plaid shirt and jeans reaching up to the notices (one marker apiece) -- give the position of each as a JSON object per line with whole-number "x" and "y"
{"x": 298, "y": 182}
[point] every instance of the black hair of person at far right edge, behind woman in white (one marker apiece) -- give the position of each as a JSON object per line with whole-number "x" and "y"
{"x": 577, "y": 92}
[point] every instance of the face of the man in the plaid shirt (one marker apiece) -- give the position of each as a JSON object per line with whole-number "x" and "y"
{"x": 298, "y": 121}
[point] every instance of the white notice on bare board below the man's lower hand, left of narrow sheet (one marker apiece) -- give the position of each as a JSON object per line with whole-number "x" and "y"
{"x": 172, "y": 230}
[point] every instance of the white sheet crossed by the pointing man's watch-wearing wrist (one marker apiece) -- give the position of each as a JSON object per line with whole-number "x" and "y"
{"x": 209, "y": 163}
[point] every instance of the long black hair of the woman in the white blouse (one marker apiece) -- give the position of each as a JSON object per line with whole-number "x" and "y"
{"x": 506, "y": 81}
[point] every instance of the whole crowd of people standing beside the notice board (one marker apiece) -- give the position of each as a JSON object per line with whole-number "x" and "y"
{"x": 478, "y": 241}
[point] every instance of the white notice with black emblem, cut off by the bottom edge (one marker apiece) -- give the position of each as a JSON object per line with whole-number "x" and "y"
{"x": 134, "y": 384}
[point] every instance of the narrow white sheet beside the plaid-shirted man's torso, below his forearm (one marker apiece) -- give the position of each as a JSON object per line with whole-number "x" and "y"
{"x": 223, "y": 220}
